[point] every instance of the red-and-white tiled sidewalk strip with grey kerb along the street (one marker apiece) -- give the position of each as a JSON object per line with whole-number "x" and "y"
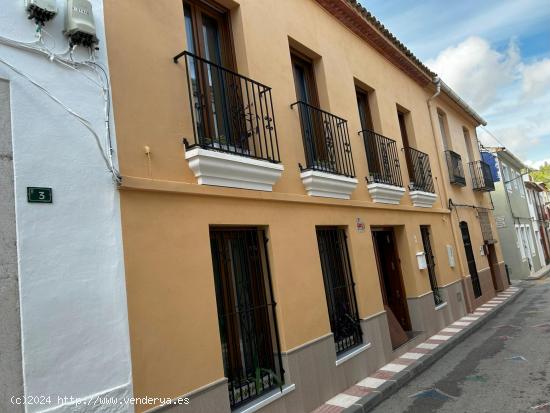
{"x": 372, "y": 390}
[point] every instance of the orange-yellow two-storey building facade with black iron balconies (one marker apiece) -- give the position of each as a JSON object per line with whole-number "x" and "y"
{"x": 289, "y": 221}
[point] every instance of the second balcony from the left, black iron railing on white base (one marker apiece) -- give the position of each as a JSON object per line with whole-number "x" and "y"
{"x": 329, "y": 170}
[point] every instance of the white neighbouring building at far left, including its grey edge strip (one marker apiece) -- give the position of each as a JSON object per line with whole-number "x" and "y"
{"x": 63, "y": 312}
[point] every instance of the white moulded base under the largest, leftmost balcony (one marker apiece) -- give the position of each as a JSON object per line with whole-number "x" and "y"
{"x": 234, "y": 171}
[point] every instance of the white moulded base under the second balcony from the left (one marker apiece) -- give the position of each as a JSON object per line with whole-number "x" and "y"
{"x": 328, "y": 185}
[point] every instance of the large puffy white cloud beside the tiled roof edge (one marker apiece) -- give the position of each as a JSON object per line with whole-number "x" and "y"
{"x": 511, "y": 95}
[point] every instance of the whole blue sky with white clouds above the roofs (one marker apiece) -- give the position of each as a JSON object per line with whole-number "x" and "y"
{"x": 494, "y": 53}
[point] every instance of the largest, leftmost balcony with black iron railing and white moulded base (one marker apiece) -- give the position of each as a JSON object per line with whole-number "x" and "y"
{"x": 234, "y": 141}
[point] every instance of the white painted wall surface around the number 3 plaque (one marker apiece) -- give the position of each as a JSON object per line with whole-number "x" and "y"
{"x": 73, "y": 301}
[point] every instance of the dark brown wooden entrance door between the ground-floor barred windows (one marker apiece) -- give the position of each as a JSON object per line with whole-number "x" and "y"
{"x": 391, "y": 283}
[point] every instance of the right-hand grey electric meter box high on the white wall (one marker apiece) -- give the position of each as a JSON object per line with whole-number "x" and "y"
{"x": 79, "y": 23}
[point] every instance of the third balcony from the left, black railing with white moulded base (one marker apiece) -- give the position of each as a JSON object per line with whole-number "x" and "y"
{"x": 385, "y": 183}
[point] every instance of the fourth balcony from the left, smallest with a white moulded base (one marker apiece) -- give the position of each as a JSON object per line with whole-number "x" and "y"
{"x": 420, "y": 174}
